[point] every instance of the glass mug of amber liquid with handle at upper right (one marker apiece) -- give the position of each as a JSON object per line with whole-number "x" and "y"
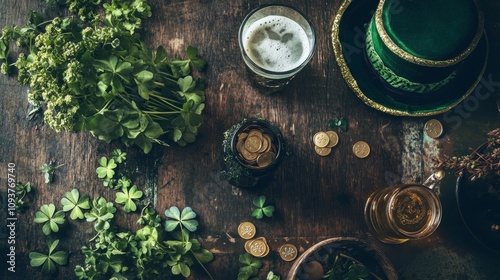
{"x": 397, "y": 214}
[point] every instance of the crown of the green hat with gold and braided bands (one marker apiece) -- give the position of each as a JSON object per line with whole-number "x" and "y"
{"x": 416, "y": 46}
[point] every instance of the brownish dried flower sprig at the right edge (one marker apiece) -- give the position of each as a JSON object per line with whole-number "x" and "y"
{"x": 481, "y": 163}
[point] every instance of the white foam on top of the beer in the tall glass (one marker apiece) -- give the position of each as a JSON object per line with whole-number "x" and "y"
{"x": 276, "y": 43}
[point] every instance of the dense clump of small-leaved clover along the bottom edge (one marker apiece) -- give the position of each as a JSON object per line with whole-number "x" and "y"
{"x": 150, "y": 253}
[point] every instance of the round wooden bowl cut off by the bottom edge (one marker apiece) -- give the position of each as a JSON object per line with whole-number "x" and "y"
{"x": 367, "y": 254}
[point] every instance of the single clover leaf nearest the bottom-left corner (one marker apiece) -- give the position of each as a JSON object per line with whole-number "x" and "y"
{"x": 48, "y": 262}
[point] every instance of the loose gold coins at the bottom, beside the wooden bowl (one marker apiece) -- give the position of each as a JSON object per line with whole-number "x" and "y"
{"x": 258, "y": 247}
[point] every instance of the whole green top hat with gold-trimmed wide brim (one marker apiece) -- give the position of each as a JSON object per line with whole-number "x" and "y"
{"x": 438, "y": 48}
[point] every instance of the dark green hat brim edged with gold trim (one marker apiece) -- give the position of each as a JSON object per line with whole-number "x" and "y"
{"x": 348, "y": 38}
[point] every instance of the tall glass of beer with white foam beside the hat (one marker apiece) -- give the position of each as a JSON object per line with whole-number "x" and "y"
{"x": 276, "y": 42}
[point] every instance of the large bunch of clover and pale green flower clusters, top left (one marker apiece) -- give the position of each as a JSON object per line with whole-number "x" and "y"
{"x": 99, "y": 76}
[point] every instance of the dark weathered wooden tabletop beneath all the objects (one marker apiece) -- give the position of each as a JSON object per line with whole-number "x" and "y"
{"x": 315, "y": 197}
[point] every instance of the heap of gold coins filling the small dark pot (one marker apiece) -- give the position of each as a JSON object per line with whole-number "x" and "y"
{"x": 255, "y": 147}
